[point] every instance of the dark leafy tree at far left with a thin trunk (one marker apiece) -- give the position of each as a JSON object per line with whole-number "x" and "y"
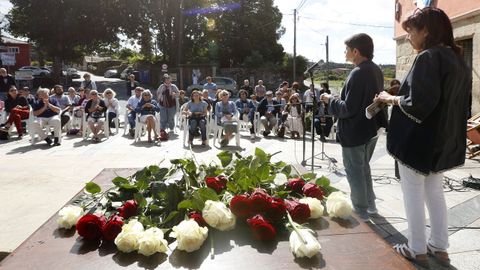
{"x": 65, "y": 29}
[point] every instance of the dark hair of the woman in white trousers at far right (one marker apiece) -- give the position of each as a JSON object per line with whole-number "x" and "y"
{"x": 437, "y": 25}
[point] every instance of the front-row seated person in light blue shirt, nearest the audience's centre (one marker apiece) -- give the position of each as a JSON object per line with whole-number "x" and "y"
{"x": 225, "y": 111}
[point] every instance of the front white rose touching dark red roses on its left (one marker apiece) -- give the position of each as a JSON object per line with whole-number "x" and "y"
{"x": 128, "y": 239}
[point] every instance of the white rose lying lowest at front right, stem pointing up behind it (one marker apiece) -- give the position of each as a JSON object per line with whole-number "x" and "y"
{"x": 309, "y": 248}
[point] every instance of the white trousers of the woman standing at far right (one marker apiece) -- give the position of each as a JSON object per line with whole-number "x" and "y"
{"x": 419, "y": 190}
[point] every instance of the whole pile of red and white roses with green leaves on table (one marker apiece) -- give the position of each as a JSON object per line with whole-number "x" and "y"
{"x": 188, "y": 199}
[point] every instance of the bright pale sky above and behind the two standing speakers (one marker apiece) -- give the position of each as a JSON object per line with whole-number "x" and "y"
{"x": 339, "y": 19}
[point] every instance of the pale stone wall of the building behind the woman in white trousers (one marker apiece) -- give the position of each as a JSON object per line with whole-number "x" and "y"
{"x": 462, "y": 29}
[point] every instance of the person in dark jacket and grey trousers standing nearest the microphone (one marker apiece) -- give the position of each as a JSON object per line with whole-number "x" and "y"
{"x": 357, "y": 134}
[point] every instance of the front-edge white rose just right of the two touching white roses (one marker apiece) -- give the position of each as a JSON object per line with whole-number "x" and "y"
{"x": 190, "y": 236}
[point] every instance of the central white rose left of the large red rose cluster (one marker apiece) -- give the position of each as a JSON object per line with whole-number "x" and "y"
{"x": 217, "y": 215}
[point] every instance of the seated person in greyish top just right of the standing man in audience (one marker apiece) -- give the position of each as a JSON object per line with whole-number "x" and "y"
{"x": 196, "y": 111}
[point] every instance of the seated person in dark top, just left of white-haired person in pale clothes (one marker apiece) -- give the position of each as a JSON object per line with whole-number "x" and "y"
{"x": 95, "y": 109}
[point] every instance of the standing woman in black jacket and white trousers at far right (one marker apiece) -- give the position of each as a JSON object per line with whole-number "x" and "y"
{"x": 427, "y": 133}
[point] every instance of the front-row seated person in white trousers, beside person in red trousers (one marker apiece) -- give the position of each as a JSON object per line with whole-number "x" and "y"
{"x": 47, "y": 111}
